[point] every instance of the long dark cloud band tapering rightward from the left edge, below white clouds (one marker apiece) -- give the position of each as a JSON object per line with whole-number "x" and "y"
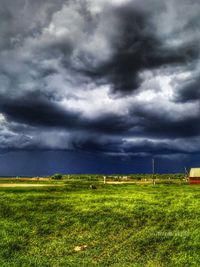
{"x": 37, "y": 109}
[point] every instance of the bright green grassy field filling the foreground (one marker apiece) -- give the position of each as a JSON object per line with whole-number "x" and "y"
{"x": 113, "y": 225}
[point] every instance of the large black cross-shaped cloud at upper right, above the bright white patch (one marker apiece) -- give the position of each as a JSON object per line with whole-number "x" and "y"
{"x": 138, "y": 47}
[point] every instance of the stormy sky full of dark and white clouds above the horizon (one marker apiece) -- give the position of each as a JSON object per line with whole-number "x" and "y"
{"x": 96, "y": 86}
